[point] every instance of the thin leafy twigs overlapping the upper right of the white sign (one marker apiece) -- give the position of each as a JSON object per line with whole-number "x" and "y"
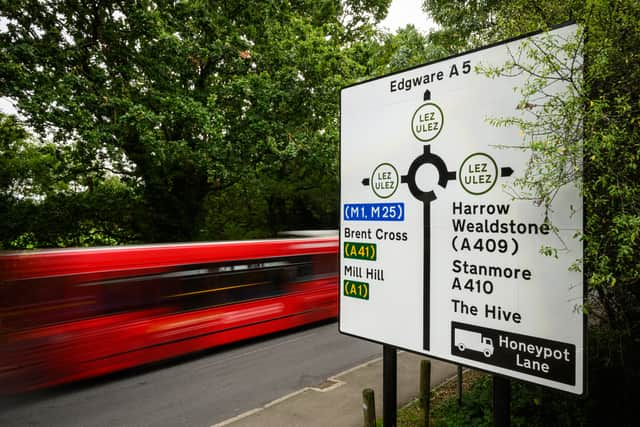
{"x": 551, "y": 119}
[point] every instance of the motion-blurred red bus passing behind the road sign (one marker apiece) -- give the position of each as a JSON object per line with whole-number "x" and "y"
{"x": 75, "y": 313}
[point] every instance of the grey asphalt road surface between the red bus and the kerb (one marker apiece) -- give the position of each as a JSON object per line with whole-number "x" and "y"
{"x": 198, "y": 390}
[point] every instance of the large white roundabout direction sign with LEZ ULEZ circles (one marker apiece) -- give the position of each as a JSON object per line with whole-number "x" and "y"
{"x": 437, "y": 255}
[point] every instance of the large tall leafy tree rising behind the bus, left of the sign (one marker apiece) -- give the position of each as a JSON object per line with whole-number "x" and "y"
{"x": 184, "y": 102}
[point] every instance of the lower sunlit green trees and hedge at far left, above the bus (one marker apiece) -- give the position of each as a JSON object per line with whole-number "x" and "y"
{"x": 42, "y": 202}
